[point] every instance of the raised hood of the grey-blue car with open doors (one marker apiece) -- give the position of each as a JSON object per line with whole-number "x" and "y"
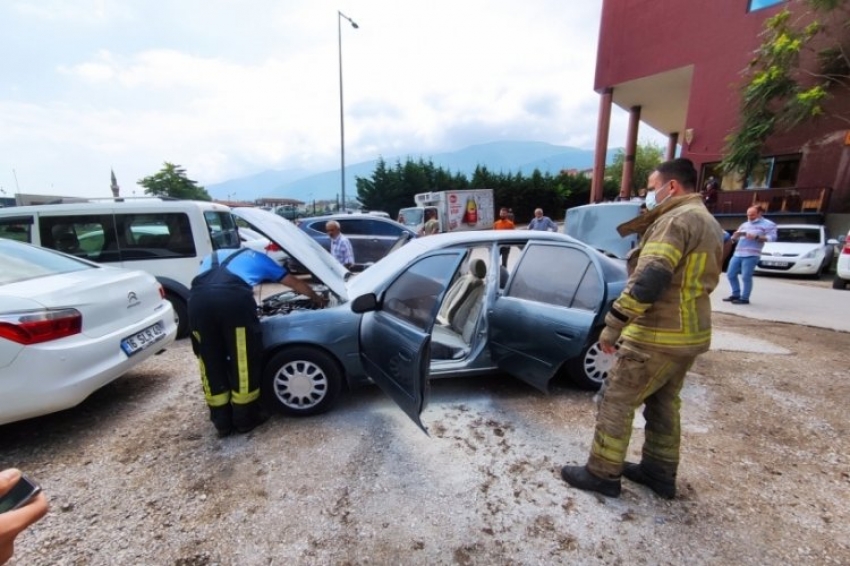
{"x": 299, "y": 246}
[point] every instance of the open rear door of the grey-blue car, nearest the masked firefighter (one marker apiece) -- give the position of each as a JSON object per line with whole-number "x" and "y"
{"x": 546, "y": 313}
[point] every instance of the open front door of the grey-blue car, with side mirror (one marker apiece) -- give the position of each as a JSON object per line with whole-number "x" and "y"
{"x": 395, "y": 329}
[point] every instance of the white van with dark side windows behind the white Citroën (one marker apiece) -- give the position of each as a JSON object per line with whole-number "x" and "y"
{"x": 167, "y": 238}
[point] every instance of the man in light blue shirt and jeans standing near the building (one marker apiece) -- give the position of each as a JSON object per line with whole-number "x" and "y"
{"x": 750, "y": 237}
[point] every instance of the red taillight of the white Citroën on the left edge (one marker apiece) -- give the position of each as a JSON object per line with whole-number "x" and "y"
{"x": 35, "y": 327}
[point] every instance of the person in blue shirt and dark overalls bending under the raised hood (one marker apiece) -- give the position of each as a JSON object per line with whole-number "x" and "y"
{"x": 226, "y": 333}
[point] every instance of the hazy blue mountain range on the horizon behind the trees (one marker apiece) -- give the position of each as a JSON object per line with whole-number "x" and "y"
{"x": 498, "y": 157}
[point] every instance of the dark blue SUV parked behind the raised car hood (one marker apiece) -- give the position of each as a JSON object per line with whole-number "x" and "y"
{"x": 371, "y": 236}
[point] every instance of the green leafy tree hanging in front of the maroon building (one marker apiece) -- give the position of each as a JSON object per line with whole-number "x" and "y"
{"x": 801, "y": 64}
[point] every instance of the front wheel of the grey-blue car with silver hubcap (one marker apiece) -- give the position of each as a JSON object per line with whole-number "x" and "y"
{"x": 301, "y": 381}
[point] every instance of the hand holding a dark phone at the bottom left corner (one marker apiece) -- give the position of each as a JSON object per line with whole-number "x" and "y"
{"x": 24, "y": 510}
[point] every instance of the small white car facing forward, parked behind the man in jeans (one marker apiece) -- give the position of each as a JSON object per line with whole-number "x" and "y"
{"x": 799, "y": 249}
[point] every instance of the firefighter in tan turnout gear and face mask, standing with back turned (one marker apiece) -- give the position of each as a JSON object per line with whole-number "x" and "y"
{"x": 661, "y": 321}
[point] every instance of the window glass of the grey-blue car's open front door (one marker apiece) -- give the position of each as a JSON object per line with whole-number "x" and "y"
{"x": 414, "y": 295}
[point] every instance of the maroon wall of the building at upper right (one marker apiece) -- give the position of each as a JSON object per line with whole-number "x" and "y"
{"x": 641, "y": 38}
